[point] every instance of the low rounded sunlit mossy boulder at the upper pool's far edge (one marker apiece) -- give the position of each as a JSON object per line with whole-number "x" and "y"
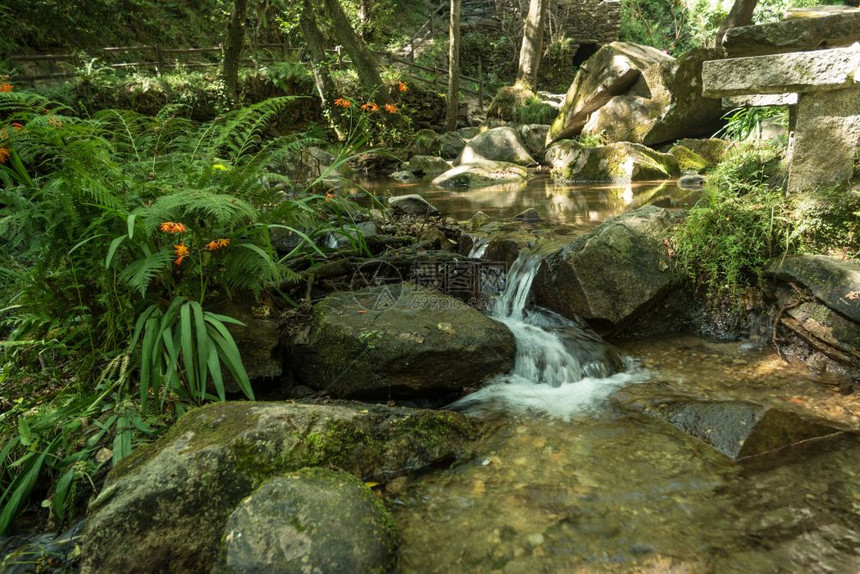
{"x": 618, "y": 163}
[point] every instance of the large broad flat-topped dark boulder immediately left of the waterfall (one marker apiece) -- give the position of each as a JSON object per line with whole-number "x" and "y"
{"x": 400, "y": 340}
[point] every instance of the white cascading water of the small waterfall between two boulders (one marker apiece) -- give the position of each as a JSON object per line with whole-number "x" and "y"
{"x": 560, "y": 367}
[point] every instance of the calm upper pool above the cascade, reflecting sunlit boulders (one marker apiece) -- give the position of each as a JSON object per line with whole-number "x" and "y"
{"x": 555, "y": 202}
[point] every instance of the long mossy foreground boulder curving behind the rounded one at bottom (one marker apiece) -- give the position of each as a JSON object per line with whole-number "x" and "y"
{"x": 169, "y": 502}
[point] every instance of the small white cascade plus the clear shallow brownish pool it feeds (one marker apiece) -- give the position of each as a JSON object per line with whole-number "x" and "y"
{"x": 565, "y": 484}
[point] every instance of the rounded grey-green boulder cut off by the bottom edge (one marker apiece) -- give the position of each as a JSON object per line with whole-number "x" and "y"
{"x": 313, "y": 520}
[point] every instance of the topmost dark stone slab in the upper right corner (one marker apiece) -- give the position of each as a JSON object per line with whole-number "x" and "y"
{"x": 833, "y": 30}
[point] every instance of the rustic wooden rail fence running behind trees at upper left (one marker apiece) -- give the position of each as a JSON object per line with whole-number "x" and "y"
{"x": 160, "y": 59}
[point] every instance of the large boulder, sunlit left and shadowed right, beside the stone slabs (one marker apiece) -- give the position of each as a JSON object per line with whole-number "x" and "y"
{"x": 664, "y": 104}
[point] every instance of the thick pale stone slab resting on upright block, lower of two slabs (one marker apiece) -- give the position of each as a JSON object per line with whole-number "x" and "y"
{"x": 796, "y": 72}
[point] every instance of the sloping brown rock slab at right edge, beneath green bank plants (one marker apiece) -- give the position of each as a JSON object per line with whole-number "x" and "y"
{"x": 834, "y": 282}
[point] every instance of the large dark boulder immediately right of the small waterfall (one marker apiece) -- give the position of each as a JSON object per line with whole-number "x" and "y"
{"x": 613, "y": 274}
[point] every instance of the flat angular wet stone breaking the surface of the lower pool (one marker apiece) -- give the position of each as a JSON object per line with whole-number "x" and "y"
{"x": 737, "y": 429}
